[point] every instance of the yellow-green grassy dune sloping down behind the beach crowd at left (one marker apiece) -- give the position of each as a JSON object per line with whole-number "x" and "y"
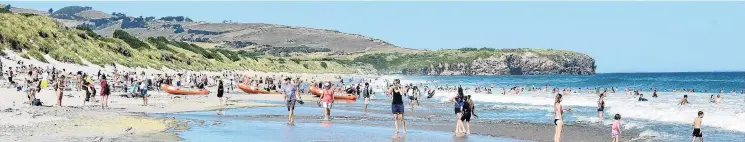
{"x": 34, "y": 36}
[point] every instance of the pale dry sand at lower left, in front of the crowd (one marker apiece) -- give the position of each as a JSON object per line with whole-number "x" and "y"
{"x": 124, "y": 120}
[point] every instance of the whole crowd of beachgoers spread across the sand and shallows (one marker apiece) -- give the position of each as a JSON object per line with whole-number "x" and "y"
{"x": 33, "y": 80}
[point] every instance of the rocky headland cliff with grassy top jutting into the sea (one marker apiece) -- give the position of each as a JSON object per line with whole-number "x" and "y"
{"x": 526, "y": 63}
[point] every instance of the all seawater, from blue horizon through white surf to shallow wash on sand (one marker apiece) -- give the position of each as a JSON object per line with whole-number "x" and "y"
{"x": 659, "y": 119}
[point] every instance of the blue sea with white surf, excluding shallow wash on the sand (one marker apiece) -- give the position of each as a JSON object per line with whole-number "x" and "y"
{"x": 659, "y": 119}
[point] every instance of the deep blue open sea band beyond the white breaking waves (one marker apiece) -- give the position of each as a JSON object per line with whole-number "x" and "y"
{"x": 665, "y": 82}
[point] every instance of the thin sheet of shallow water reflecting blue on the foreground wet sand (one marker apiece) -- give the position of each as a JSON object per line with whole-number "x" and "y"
{"x": 352, "y": 115}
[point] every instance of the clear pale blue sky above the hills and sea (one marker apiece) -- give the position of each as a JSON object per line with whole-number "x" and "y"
{"x": 621, "y": 36}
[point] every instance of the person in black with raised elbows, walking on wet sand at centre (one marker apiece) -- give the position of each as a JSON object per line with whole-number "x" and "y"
{"x": 397, "y": 106}
